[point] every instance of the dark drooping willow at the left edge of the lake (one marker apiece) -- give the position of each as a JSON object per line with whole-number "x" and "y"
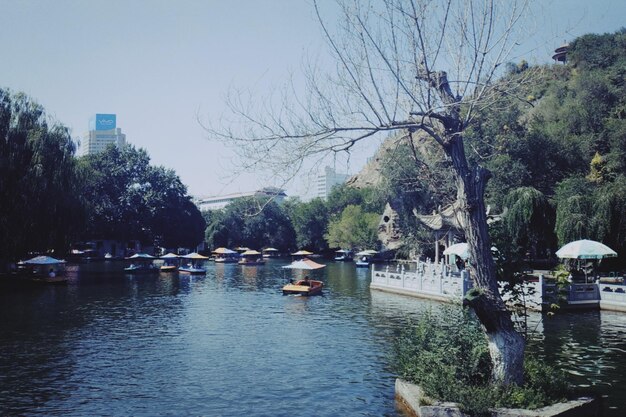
{"x": 41, "y": 208}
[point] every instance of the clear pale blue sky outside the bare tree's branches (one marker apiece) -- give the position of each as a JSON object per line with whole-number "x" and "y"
{"x": 162, "y": 65}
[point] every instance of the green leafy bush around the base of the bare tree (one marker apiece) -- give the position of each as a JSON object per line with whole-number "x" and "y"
{"x": 447, "y": 355}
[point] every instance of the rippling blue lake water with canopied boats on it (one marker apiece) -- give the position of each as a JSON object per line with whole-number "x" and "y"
{"x": 230, "y": 344}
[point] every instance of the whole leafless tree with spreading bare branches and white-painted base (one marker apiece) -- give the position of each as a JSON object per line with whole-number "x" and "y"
{"x": 401, "y": 65}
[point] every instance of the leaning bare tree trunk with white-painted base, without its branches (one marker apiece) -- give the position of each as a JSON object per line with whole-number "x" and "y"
{"x": 506, "y": 345}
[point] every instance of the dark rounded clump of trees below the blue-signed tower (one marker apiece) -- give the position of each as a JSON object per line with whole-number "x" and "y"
{"x": 128, "y": 199}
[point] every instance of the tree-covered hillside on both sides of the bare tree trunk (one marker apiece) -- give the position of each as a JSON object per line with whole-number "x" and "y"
{"x": 556, "y": 151}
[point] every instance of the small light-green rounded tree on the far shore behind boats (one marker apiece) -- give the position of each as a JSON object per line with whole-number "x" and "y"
{"x": 355, "y": 229}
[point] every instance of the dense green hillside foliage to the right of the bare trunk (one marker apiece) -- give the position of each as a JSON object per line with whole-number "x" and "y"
{"x": 565, "y": 139}
